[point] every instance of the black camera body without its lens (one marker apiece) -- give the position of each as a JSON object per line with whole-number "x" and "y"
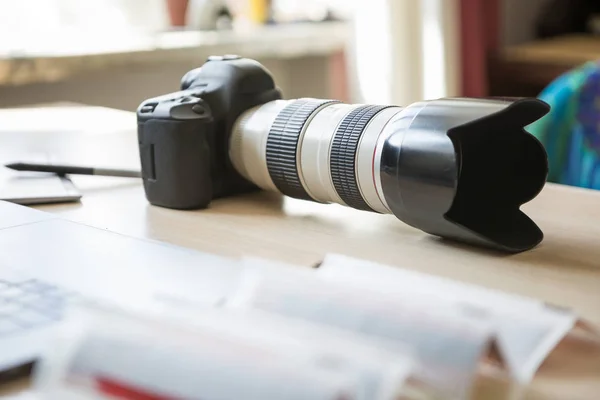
{"x": 183, "y": 136}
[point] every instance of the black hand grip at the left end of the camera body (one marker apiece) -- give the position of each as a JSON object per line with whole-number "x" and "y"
{"x": 176, "y": 166}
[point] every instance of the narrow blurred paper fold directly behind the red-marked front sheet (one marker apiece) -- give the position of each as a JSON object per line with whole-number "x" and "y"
{"x": 382, "y": 367}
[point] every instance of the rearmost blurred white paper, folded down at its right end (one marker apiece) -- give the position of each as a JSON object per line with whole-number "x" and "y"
{"x": 527, "y": 330}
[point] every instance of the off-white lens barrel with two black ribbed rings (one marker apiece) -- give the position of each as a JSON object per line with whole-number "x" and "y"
{"x": 314, "y": 149}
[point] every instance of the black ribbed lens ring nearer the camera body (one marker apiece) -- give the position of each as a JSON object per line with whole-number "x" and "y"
{"x": 282, "y": 146}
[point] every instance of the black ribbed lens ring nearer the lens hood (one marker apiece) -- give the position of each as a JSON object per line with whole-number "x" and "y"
{"x": 343, "y": 155}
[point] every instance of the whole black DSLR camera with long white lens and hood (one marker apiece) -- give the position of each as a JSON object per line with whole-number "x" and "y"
{"x": 458, "y": 168}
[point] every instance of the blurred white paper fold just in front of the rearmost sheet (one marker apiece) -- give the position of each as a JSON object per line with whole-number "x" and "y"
{"x": 448, "y": 345}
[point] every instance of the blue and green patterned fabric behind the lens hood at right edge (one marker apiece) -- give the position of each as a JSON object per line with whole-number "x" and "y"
{"x": 571, "y": 131}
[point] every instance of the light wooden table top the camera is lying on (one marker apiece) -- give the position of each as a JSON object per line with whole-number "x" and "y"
{"x": 564, "y": 269}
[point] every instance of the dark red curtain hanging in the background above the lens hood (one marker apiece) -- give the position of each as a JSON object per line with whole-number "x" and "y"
{"x": 480, "y": 35}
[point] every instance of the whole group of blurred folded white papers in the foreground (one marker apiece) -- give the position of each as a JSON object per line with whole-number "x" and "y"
{"x": 349, "y": 330}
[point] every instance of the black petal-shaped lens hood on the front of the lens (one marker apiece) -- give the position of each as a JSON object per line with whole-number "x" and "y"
{"x": 461, "y": 168}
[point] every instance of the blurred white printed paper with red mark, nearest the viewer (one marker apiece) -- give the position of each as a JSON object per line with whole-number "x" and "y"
{"x": 163, "y": 358}
